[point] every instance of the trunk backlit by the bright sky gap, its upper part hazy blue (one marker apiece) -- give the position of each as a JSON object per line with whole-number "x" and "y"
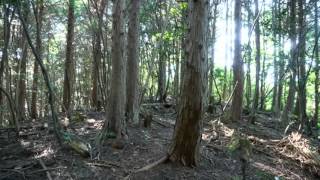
{"x": 236, "y": 107}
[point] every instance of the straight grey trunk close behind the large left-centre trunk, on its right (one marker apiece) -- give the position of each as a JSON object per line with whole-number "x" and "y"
{"x": 132, "y": 109}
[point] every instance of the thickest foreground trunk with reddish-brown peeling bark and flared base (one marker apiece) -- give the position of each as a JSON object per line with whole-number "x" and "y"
{"x": 186, "y": 140}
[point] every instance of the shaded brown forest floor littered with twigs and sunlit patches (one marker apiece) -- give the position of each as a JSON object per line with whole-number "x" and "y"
{"x": 37, "y": 155}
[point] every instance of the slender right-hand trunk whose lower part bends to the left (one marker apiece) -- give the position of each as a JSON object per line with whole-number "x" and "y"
{"x": 292, "y": 64}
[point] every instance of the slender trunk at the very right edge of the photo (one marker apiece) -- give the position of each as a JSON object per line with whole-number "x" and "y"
{"x": 316, "y": 84}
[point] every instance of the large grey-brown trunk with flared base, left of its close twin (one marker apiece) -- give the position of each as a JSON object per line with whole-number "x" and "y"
{"x": 115, "y": 117}
